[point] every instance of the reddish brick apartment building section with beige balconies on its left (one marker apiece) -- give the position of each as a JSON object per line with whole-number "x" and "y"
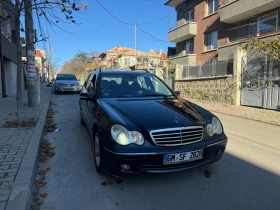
{"x": 198, "y": 32}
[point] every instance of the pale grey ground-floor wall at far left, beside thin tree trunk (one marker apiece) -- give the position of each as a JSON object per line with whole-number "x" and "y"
{"x": 11, "y": 77}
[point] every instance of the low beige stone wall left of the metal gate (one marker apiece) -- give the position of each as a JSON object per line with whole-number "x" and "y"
{"x": 220, "y": 89}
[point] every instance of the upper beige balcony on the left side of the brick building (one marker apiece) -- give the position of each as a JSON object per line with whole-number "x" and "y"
{"x": 183, "y": 31}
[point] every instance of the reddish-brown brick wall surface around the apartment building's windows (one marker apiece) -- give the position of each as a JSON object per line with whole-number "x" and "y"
{"x": 205, "y": 24}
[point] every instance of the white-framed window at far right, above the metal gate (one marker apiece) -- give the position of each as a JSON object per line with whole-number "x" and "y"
{"x": 268, "y": 23}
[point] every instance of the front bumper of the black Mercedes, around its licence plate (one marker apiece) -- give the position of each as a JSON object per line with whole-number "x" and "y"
{"x": 141, "y": 163}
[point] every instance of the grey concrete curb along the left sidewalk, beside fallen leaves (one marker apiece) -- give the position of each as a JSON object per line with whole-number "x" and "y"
{"x": 21, "y": 194}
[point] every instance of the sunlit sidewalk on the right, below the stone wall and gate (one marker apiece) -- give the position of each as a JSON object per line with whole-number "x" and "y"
{"x": 261, "y": 115}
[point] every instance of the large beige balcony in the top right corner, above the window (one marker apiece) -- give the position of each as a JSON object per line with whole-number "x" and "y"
{"x": 237, "y": 10}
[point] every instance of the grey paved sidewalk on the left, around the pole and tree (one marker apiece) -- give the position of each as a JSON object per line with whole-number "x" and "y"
{"x": 14, "y": 142}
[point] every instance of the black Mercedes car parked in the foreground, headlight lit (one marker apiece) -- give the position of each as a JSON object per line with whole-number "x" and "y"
{"x": 139, "y": 125}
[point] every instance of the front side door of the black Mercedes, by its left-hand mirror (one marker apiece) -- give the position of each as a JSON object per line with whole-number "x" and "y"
{"x": 91, "y": 105}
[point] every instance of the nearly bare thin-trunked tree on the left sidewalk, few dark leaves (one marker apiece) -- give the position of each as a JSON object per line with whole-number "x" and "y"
{"x": 50, "y": 11}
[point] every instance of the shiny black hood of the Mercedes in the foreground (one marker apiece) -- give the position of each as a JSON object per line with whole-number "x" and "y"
{"x": 153, "y": 113}
